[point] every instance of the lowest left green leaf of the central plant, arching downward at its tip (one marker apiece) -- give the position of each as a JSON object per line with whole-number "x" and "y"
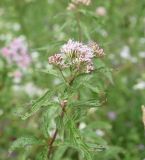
{"x": 25, "y": 141}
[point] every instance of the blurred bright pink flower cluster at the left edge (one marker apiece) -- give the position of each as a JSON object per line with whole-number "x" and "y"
{"x": 17, "y": 53}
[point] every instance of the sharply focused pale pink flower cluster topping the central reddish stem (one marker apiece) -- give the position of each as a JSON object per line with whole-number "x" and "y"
{"x": 77, "y": 56}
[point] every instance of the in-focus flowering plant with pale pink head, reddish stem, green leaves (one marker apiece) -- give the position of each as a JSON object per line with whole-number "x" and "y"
{"x": 65, "y": 106}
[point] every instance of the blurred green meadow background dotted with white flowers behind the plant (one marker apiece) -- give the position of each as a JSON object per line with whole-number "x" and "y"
{"x": 46, "y": 24}
